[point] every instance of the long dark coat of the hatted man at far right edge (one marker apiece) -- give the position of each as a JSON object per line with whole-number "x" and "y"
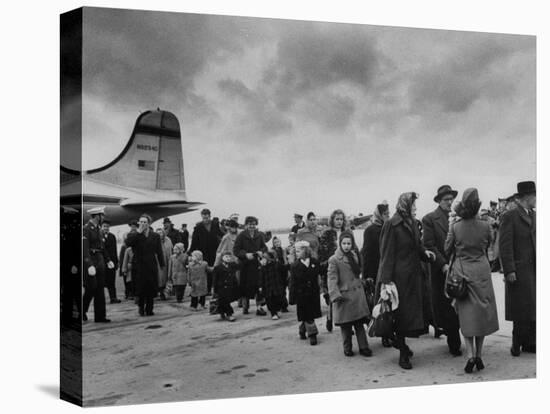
{"x": 517, "y": 245}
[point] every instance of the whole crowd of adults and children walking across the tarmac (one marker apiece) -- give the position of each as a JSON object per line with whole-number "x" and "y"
{"x": 404, "y": 261}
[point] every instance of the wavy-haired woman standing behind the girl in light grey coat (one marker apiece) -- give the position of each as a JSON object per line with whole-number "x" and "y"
{"x": 328, "y": 244}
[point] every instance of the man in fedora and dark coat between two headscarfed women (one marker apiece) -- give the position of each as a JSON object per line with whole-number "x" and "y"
{"x": 436, "y": 227}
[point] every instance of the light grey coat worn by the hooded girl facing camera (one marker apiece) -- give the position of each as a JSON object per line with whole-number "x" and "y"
{"x": 343, "y": 283}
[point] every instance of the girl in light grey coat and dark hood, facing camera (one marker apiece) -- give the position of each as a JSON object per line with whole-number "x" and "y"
{"x": 350, "y": 309}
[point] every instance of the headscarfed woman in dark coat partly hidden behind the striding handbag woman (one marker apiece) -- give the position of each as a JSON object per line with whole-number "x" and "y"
{"x": 371, "y": 249}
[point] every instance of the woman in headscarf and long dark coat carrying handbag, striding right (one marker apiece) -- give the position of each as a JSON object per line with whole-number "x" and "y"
{"x": 401, "y": 251}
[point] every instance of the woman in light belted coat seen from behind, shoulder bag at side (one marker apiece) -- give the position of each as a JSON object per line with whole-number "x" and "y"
{"x": 468, "y": 240}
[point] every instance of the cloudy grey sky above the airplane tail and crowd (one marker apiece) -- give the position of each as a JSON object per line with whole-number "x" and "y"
{"x": 280, "y": 116}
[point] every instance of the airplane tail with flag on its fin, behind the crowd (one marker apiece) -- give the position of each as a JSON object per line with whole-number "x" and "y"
{"x": 146, "y": 177}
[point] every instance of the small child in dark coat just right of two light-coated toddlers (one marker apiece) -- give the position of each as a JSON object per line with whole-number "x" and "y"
{"x": 225, "y": 284}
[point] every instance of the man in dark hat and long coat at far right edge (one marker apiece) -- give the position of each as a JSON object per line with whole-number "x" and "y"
{"x": 518, "y": 256}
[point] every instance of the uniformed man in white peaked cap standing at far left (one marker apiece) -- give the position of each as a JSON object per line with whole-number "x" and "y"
{"x": 94, "y": 257}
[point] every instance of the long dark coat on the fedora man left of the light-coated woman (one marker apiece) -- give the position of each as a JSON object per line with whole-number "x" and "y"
{"x": 436, "y": 227}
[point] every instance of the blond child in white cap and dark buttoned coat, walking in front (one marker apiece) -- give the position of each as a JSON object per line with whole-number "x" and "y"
{"x": 304, "y": 287}
